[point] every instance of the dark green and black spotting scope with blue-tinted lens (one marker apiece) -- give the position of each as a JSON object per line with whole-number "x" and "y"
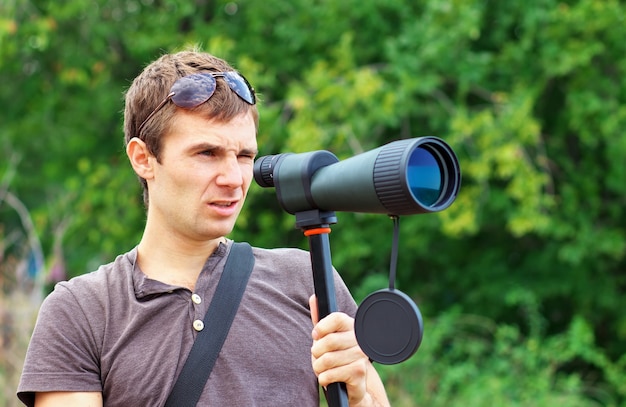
{"x": 404, "y": 177}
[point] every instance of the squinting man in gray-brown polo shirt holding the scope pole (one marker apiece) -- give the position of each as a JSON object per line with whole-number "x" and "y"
{"x": 119, "y": 336}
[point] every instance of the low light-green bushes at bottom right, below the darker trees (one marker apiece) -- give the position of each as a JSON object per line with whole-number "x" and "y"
{"x": 469, "y": 360}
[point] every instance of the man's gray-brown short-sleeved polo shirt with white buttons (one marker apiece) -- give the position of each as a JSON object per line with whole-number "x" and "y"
{"x": 116, "y": 331}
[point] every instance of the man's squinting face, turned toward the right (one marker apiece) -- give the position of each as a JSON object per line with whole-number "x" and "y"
{"x": 205, "y": 170}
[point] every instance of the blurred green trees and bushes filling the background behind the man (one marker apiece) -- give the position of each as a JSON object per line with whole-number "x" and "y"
{"x": 521, "y": 281}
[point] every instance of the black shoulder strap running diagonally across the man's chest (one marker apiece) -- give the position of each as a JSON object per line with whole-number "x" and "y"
{"x": 217, "y": 322}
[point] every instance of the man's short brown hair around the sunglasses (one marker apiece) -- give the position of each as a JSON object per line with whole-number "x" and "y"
{"x": 153, "y": 85}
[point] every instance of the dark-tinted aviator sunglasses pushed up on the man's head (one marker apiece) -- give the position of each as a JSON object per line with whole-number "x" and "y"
{"x": 193, "y": 90}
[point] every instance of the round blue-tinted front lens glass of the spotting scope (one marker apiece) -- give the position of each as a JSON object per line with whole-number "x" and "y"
{"x": 424, "y": 176}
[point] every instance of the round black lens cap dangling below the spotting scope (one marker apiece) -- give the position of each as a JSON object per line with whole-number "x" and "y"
{"x": 388, "y": 326}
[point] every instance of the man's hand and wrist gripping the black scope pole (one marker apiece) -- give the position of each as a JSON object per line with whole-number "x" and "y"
{"x": 337, "y": 357}
